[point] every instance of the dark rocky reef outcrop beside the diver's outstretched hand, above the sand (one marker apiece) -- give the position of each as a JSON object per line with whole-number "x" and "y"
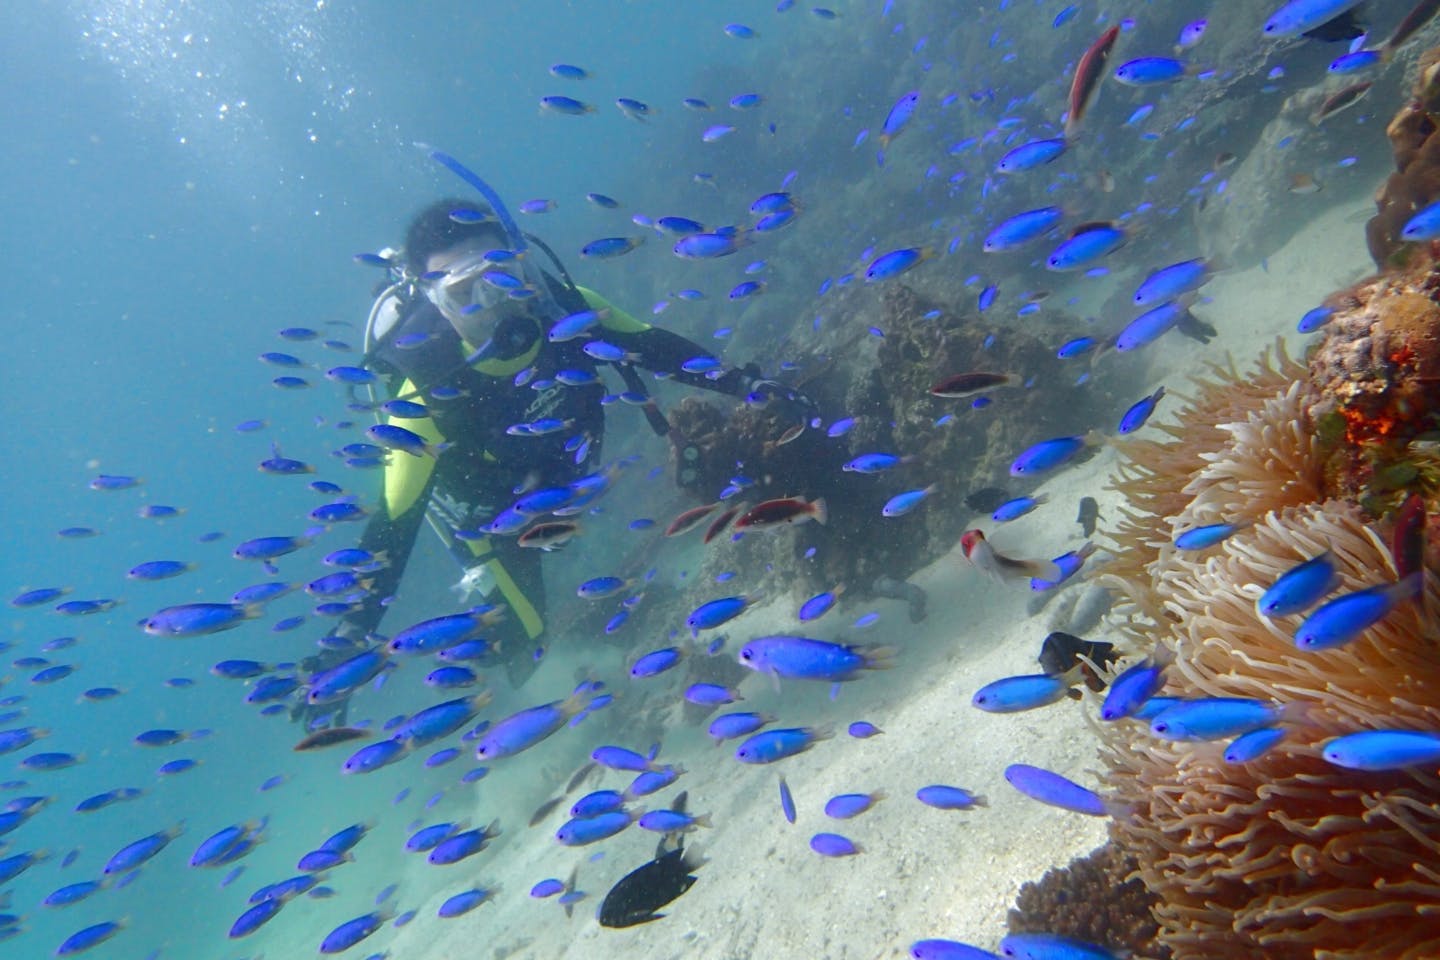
{"x": 882, "y": 379}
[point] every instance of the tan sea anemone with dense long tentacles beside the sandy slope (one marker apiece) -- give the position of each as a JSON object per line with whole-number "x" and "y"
{"x": 1284, "y": 857}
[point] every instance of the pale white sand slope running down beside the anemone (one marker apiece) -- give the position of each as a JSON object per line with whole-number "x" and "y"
{"x": 924, "y": 873}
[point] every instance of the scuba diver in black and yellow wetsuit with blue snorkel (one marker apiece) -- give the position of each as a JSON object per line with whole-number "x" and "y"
{"x": 508, "y": 405}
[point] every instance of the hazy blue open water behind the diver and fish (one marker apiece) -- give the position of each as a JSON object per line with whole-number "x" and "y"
{"x": 184, "y": 181}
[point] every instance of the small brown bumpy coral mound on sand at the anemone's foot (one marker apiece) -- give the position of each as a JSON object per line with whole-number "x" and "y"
{"x": 1095, "y": 899}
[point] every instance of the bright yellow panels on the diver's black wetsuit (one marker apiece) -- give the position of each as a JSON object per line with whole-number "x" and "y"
{"x": 405, "y": 477}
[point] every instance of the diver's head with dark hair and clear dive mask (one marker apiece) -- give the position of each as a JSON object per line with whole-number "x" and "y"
{"x": 469, "y": 270}
